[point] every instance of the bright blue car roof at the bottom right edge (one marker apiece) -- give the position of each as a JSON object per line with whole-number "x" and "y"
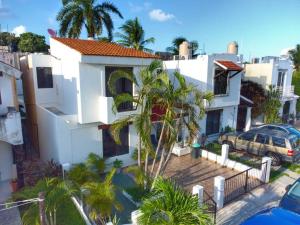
{"x": 274, "y": 216}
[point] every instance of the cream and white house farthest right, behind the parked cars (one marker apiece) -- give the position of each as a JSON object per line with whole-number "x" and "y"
{"x": 277, "y": 72}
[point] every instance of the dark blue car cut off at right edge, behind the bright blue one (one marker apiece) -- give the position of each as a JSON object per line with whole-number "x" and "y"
{"x": 291, "y": 199}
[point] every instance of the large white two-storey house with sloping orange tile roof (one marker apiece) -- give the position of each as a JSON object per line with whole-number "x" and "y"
{"x": 68, "y": 104}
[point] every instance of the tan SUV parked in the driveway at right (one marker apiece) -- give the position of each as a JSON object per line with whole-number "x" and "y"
{"x": 278, "y": 145}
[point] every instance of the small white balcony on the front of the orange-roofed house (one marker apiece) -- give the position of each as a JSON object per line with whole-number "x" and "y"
{"x": 108, "y": 116}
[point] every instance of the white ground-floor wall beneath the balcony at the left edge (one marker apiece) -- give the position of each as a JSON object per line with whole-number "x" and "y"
{"x": 6, "y": 161}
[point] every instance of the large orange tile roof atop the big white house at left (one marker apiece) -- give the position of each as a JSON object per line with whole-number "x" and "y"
{"x": 101, "y": 48}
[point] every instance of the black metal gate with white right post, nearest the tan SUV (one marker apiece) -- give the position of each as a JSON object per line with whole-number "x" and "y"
{"x": 244, "y": 182}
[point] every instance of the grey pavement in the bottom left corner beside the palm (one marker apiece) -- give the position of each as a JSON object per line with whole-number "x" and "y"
{"x": 12, "y": 216}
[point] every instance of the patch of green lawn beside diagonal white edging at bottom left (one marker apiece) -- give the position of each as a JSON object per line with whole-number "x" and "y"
{"x": 67, "y": 214}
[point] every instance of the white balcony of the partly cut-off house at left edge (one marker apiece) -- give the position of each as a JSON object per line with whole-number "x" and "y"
{"x": 11, "y": 128}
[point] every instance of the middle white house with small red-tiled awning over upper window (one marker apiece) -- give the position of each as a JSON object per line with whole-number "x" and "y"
{"x": 219, "y": 74}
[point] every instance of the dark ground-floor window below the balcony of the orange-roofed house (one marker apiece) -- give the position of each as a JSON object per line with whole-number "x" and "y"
{"x": 110, "y": 147}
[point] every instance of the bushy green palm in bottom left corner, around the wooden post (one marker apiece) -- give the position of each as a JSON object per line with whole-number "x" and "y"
{"x": 56, "y": 193}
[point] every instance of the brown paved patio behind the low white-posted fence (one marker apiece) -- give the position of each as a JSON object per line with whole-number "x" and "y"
{"x": 187, "y": 172}
